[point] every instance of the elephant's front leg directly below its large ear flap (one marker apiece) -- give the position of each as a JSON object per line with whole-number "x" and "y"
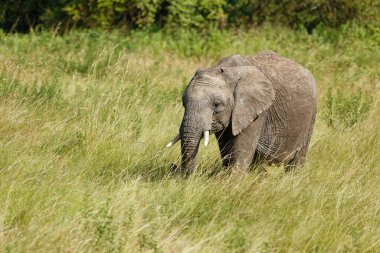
{"x": 245, "y": 143}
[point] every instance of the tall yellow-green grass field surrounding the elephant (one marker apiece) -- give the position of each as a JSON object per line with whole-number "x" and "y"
{"x": 84, "y": 119}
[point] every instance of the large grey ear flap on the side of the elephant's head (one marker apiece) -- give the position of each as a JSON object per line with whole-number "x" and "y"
{"x": 253, "y": 94}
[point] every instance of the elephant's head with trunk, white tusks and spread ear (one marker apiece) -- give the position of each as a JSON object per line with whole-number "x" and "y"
{"x": 217, "y": 97}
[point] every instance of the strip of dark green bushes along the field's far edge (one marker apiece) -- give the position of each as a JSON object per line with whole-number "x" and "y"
{"x": 201, "y": 14}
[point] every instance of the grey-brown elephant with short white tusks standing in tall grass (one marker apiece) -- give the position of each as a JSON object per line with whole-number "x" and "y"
{"x": 260, "y": 108}
